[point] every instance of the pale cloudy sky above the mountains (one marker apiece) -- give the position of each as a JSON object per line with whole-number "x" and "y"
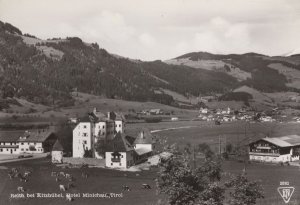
{"x": 163, "y": 29}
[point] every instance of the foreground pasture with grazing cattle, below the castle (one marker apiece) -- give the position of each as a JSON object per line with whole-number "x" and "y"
{"x": 100, "y": 181}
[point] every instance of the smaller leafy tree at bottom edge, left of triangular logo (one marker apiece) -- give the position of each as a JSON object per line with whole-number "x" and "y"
{"x": 244, "y": 192}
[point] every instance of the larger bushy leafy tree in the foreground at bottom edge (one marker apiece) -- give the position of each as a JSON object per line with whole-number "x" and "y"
{"x": 184, "y": 185}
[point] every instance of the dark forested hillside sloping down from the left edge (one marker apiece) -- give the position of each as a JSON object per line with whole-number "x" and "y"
{"x": 47, "y": 71}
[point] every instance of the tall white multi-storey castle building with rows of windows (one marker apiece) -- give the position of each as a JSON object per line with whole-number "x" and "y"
{"x": 96, "y": 126}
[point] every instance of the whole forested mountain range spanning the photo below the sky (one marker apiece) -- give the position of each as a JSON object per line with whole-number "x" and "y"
{"x": 48, "y": 71}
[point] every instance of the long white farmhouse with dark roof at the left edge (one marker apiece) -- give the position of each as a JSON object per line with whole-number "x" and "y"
{"x": 36, "y": 141}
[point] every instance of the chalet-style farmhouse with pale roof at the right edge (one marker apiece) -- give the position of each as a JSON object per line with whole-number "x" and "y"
{"x": 277, "y": 149}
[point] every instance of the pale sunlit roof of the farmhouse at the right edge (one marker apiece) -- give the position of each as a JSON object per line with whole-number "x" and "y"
{"x": 285, "y": 141}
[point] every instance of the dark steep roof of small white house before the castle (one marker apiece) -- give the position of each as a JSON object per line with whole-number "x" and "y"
{"x": 119, "y": 144}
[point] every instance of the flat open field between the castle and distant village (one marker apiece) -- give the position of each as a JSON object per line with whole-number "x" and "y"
{"x": 195, "y": 132}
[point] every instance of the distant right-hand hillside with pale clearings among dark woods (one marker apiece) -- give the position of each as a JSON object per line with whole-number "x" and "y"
{"x": 264, "y": 73}
